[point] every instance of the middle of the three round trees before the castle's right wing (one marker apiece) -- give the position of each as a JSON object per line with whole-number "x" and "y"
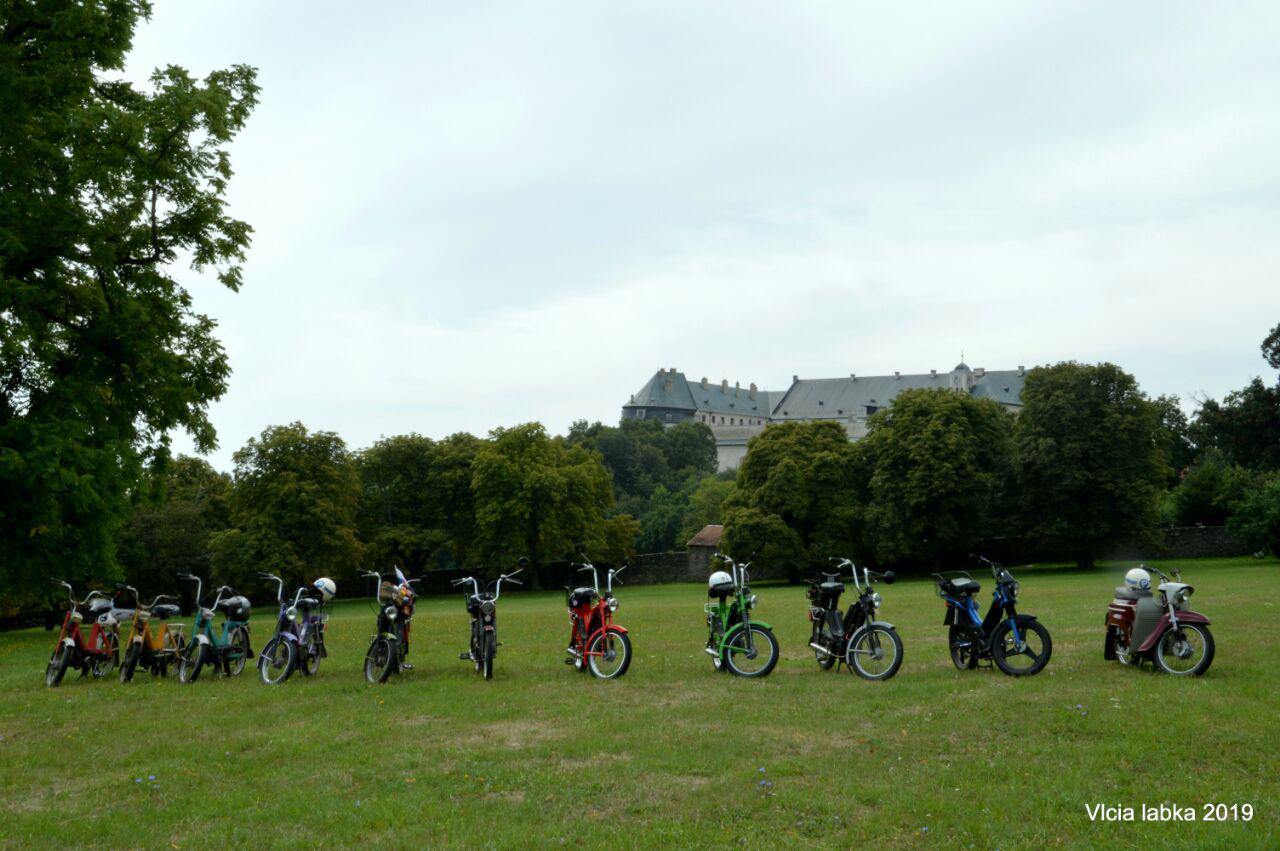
{"x": 939, "y": 465}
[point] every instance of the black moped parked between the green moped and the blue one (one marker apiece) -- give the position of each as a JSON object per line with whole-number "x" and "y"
{"x": 868, "y": 647}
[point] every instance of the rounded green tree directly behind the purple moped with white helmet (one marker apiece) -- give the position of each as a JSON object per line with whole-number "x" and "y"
{"x": 294, "y": 510}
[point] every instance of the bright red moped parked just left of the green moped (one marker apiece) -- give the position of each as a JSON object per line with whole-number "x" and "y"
{"x": 596, "y": 643}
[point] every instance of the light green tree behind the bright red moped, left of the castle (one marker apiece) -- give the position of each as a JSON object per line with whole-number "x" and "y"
{"x": 537, "y": 497}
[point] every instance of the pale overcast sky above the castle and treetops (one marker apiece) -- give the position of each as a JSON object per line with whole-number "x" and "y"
{"x": 478, "y": 214}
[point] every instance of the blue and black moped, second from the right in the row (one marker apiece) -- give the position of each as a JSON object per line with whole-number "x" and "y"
{"x": 1018, "y": 644}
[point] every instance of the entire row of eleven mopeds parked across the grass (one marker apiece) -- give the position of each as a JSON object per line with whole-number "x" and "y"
{"x": 1144, "y": 624}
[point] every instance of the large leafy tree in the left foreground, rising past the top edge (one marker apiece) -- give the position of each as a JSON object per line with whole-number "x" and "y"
{"x": 104, "y": 187}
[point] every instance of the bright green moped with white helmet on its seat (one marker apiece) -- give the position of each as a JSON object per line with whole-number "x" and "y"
{"x": 734, "y": 640}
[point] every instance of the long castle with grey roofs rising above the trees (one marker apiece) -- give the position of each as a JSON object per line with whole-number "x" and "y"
{"x": 737, "y": 414}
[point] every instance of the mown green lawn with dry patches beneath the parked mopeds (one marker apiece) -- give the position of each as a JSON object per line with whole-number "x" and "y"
{"x": 673, "y": 754}
